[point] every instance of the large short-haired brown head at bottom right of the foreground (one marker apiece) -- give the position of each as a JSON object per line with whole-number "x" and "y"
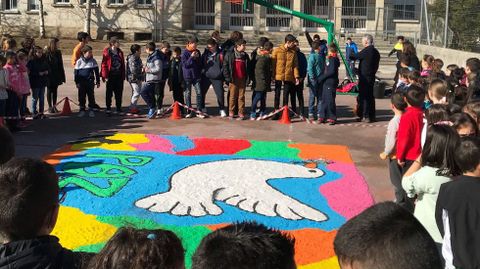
{"x": 385, "y": 236}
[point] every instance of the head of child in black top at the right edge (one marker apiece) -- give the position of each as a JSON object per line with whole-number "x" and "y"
{"x": 467, "y": 155}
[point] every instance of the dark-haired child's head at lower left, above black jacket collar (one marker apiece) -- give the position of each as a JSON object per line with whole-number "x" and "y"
{"x": 29, "y": 199}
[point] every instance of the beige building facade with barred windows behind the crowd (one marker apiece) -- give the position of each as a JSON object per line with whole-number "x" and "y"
{"x": 144, "y": 19}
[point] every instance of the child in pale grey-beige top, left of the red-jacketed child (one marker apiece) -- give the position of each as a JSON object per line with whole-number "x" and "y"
{"x": 398, "y": 106}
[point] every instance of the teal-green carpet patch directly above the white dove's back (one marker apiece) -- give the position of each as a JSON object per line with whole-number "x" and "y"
{"x": 263, "y": 149}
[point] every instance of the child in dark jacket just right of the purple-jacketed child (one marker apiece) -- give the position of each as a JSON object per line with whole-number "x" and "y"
{"x": 212, "y": 60}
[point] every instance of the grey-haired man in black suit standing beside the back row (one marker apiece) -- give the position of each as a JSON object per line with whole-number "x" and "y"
{"x": 369, "y": 59}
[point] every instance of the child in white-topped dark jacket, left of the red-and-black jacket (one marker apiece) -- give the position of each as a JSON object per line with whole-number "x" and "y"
{"x": 86, "y": 76}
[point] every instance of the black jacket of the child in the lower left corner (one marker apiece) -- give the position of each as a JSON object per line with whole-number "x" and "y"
{"x": 43, "y": 252}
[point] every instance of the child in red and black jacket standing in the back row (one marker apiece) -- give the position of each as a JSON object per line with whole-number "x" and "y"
{"x": 113, "y": 72}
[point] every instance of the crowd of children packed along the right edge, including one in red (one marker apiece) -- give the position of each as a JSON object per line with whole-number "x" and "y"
{"x": 432, "y": 145}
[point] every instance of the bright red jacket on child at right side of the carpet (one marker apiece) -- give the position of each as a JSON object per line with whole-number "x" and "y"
{"x": 409, "y": 145}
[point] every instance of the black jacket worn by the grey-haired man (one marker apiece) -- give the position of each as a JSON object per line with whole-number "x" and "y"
{"x": 369, "y": 62}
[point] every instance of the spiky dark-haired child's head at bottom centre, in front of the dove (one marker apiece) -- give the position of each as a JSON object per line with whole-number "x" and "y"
{"x": 244, "y": 246}
